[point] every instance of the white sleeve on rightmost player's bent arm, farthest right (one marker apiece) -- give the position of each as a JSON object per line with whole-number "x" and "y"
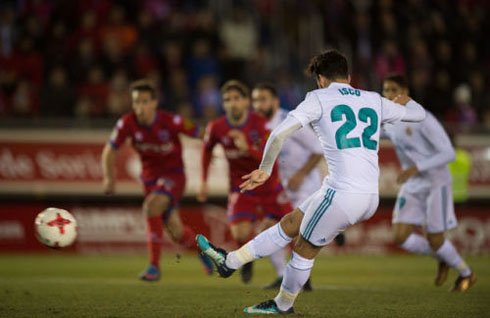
{"x": 435, "y": 134}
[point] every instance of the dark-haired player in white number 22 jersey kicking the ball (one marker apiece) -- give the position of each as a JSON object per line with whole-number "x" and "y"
{"x": 347, "y": 123}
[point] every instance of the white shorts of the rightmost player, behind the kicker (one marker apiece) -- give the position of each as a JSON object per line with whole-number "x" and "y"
{"x": 433, "y": 208}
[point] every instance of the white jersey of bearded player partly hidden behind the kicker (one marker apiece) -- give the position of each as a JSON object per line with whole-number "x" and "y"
{"x": 295, "y": 152}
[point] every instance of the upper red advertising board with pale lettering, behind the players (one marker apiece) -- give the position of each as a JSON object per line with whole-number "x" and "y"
{"x": 54, "y": 162}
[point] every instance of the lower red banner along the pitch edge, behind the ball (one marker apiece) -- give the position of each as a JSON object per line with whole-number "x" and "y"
{"x": 121, "y": 229}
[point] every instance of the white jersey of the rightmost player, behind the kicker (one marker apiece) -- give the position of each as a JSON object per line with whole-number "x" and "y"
{"x": 425, "y": 145}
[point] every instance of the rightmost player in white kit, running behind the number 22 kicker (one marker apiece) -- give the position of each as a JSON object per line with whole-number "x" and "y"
{"x": 425, "y": 199}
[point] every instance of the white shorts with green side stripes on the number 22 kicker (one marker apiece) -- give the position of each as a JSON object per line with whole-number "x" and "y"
{"x": 328, "y": 212}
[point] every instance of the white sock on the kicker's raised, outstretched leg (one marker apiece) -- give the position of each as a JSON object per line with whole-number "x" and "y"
{"x": 264, "y": 244}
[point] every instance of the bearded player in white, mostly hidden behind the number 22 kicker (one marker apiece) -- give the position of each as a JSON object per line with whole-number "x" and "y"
{"x": 298, "y": 160}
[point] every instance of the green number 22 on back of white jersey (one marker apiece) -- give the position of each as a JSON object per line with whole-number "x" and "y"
{"x": 366, "y": 115}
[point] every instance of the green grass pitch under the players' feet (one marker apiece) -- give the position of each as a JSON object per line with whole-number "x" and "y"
{"x": 63, "y": 285}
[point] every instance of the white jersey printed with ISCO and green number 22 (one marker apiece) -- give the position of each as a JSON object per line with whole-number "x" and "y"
{"x": 347, "y": 122}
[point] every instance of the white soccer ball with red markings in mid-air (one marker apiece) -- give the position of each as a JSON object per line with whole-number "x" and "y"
{"x": 55, "y": 228}
